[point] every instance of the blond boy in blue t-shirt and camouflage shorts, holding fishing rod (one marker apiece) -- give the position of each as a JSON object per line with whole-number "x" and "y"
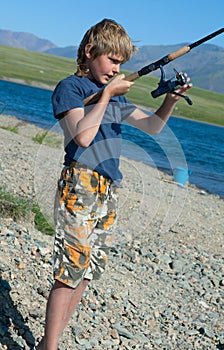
{"x": 86, "y": 201}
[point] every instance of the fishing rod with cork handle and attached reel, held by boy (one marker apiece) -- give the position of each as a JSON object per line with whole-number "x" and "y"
{"x": 164, "y": 85}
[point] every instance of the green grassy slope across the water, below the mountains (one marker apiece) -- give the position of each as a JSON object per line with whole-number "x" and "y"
{"x": 38, "y": 68}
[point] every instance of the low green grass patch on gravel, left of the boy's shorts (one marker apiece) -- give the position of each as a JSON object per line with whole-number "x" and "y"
{"x": 19, "y": 208}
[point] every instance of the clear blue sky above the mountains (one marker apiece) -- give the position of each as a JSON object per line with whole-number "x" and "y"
{"x": 148, "y": 22}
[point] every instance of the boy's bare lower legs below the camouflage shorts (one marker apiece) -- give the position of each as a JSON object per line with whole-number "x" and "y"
{"x": 62, "y": 303}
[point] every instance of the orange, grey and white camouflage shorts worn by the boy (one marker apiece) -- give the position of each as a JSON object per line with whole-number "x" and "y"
{"x": 85, "y": 214}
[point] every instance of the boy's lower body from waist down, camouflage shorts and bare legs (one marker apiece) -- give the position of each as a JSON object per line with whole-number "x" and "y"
{"x": 79, "y": 235}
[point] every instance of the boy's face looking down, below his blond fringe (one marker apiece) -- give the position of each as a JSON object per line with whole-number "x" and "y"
{"x": 104, "y": 67}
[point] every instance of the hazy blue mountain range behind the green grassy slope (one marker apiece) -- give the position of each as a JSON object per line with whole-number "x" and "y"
{"x": 205, "y": 64}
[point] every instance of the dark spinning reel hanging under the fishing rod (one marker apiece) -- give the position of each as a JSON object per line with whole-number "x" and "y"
{"x": 171, "y": 85}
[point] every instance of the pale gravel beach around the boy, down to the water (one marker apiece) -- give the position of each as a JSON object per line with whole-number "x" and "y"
{"x": 164, "y": 286}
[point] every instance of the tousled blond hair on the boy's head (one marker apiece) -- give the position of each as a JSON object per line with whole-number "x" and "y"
{"x": 106, "y": 37}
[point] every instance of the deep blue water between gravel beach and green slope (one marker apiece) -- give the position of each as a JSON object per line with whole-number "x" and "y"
{"x": 197, "y": 146}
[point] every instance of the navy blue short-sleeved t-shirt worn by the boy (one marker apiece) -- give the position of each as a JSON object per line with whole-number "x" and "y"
{"x": 104, "y": 152}
